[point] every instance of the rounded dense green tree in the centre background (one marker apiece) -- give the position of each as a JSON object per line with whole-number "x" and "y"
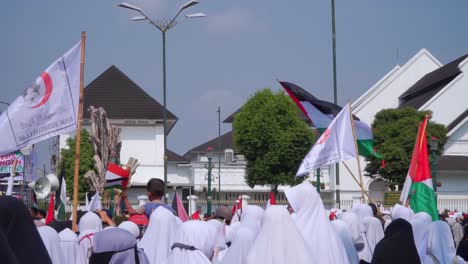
{"x": 273, "y": 138}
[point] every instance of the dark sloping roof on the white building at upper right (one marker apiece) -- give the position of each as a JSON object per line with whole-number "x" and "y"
{"x": 429, "y": 85}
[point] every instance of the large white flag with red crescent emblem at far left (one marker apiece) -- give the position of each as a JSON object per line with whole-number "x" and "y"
{"x": 48, "y": 108}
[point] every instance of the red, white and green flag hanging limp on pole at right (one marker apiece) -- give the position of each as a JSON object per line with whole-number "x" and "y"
{"x": 417, "y": 191}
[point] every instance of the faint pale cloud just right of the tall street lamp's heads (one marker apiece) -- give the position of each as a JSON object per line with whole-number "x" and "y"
{"x": 235, "y": 20}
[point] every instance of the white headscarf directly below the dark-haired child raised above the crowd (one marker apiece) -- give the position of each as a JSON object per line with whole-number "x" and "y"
{"x": 159, "y": 236}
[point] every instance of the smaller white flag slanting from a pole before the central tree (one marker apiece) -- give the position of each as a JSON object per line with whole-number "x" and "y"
{"x": 336, "y": 144}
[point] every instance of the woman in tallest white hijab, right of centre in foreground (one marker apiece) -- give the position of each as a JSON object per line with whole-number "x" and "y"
{"x": 311, "y": 220}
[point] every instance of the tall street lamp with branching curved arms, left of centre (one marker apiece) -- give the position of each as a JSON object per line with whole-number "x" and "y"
{"x": 164, "y": 25}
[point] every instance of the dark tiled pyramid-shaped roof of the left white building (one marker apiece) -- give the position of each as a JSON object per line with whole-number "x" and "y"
{"x": 122, "y": 98}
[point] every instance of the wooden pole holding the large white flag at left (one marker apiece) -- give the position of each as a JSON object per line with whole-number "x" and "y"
{"x": 78, "y": 135}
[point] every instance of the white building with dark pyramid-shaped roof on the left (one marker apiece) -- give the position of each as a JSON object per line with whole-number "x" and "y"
{"x": 141, "y": 119}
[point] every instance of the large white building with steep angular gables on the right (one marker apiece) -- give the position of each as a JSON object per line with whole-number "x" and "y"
{"x": 425, "y": 84}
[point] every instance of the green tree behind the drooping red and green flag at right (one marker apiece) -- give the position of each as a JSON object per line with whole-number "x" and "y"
{"x": 395, "y": 132}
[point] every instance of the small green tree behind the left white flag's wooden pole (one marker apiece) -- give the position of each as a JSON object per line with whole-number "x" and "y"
{"x": 86, "y": 163}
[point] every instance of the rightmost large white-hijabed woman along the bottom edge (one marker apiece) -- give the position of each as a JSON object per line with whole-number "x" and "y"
{"x": 440, "y": 247}
